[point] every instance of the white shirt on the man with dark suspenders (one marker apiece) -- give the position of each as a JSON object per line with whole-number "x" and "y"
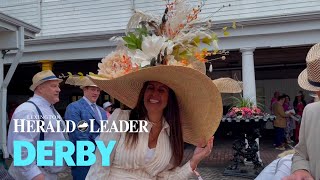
{"x": 29, "y": 111}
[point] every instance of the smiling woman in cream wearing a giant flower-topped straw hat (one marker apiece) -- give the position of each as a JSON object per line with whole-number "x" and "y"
{"x": 155, "y": 74}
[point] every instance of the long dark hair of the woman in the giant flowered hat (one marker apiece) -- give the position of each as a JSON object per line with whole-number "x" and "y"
{"x": 172, "y": 115}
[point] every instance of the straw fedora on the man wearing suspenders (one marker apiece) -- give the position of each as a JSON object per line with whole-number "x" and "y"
{"x": 42, "y": 77}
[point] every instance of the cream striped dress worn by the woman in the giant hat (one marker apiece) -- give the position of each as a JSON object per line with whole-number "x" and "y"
{"x": 131, "y": 163}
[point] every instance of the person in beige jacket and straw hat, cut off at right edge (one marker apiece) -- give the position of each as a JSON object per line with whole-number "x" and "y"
{"x": 306, "y": 160}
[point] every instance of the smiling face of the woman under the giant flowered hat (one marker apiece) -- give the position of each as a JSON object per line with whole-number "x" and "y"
{"x": 156, "y": 97}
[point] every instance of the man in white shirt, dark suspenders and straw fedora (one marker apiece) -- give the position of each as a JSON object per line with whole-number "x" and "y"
{"x": 45, "y": 86}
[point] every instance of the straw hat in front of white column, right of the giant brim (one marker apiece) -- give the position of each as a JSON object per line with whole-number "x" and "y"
{"x": 228, "y": 85}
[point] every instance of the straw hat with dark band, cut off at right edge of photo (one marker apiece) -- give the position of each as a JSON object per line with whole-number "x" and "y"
{"x": 309, "y": 79}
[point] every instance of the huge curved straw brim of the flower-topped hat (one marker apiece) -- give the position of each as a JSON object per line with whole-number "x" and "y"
{"x": 199, "y": 100}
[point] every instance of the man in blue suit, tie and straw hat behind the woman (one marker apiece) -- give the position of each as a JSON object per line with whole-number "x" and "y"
{"x": 84, "y": 109}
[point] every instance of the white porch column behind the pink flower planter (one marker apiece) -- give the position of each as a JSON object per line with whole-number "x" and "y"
{"x": 248, "y": 75}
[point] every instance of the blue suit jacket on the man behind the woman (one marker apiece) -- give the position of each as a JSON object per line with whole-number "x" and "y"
{"x": 81, "y": 110}
